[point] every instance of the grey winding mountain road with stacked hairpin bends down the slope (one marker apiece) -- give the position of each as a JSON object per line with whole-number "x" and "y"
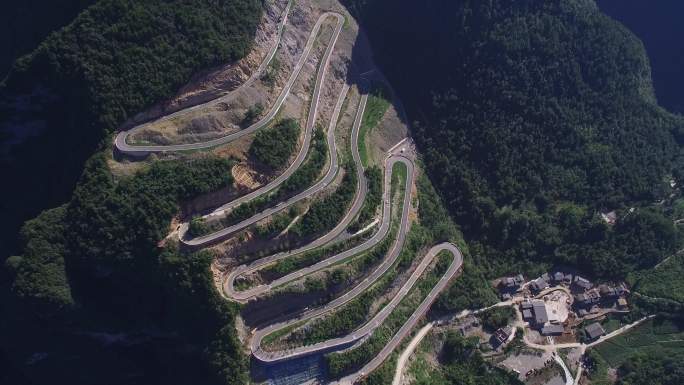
{"x": 395, "y": 156}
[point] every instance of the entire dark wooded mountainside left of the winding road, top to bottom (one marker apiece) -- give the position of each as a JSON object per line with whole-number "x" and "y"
{"x": 161, "y": 320}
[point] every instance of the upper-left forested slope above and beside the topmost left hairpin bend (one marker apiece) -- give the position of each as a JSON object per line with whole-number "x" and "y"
{"x": 115, "y": 59}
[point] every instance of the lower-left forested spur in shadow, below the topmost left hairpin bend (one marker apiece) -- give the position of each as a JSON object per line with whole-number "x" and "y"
{"x": 104, "y": 244}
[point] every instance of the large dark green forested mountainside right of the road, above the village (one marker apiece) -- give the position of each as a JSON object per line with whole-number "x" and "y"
{"x": 534, "y": 117}
